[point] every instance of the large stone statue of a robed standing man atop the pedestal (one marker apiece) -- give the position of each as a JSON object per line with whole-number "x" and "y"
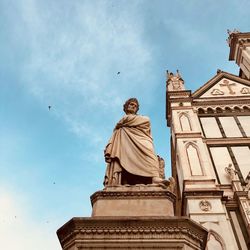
{"x": 130, "y": 152}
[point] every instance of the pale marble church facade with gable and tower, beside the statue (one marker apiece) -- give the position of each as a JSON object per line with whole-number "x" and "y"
{"x": 210, "y": 144}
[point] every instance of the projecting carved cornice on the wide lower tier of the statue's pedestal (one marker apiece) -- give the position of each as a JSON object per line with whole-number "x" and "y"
{"x": 137, "y": 228}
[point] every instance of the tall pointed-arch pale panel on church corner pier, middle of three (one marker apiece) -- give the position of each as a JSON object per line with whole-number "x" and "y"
{"x": 194, "y": 159}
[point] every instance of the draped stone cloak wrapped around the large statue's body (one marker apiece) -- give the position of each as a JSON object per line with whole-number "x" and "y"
{"x": 132, "y": 145}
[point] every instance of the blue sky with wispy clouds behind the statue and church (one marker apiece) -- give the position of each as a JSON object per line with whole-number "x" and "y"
{"x": 66, "y": 54}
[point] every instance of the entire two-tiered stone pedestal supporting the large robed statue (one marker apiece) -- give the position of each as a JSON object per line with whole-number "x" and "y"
{"x": 132, "y": 217}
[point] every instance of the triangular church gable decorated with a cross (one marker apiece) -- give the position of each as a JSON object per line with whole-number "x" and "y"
{"x": 224, "y": 85}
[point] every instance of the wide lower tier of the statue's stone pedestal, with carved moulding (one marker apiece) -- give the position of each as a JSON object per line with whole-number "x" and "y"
{"x": 160, "y": 232}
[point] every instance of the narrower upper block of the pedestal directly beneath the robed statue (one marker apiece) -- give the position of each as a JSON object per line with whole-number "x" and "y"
{"x": 134, "y": 200}
